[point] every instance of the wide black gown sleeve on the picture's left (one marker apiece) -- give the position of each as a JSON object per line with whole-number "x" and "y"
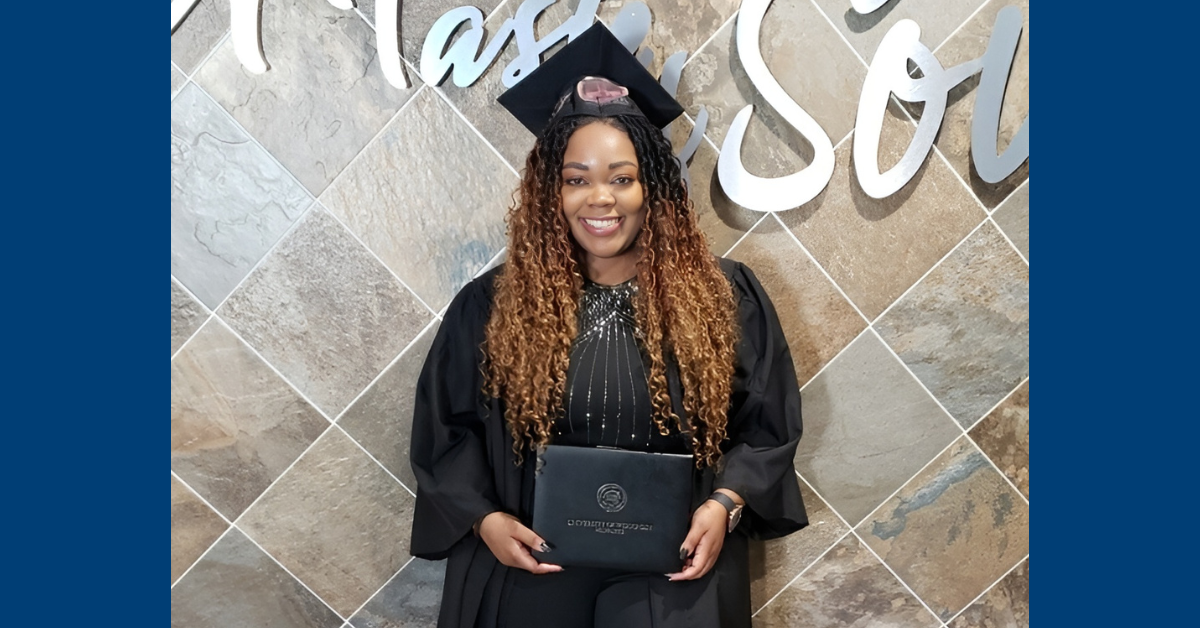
{"x": 455, "y": 485}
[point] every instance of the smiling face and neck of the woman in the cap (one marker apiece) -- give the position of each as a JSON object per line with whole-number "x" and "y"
{"x": 603, "y": 200}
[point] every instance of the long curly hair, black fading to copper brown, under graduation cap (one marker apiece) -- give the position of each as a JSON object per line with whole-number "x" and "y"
{"x": 685, "y": 306}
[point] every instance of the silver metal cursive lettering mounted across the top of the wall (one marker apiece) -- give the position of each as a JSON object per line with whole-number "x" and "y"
{"x": 467, "y": 58}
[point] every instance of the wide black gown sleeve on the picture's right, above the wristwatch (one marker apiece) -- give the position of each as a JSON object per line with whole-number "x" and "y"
{"x": 765, "y": 417}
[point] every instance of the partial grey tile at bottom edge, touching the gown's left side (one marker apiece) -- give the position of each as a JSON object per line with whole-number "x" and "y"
{"x": 412, "y": 600}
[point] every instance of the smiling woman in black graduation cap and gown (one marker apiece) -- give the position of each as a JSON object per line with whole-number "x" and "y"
{"x": 610, "y": 325}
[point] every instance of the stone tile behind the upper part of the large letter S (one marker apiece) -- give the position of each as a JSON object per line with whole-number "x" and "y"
{"x": 809, "y": 61}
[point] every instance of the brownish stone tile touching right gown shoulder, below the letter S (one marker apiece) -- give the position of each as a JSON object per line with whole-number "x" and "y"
{"x": 818, "y": 321}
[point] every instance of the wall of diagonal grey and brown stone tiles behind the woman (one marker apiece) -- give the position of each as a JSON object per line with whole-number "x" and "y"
{"x": 322, "y": 219}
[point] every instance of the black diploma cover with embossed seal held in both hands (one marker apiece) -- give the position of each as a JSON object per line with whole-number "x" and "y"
{"x": 614, "y": 509}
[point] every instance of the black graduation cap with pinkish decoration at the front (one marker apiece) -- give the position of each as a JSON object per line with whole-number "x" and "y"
{"x": 593, "y": 75}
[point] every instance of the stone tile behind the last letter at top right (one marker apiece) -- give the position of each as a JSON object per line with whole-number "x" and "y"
{"x": 955, "y": 137}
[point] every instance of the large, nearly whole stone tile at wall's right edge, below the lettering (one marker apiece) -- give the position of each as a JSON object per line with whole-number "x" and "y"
{"x": 965, "y": 330}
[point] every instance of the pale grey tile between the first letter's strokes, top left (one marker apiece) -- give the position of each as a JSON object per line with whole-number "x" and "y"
{"x": 325, "y": 97}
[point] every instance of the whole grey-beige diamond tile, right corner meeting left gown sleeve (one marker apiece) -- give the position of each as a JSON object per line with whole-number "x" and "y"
{"x": 326, "y": 313}
